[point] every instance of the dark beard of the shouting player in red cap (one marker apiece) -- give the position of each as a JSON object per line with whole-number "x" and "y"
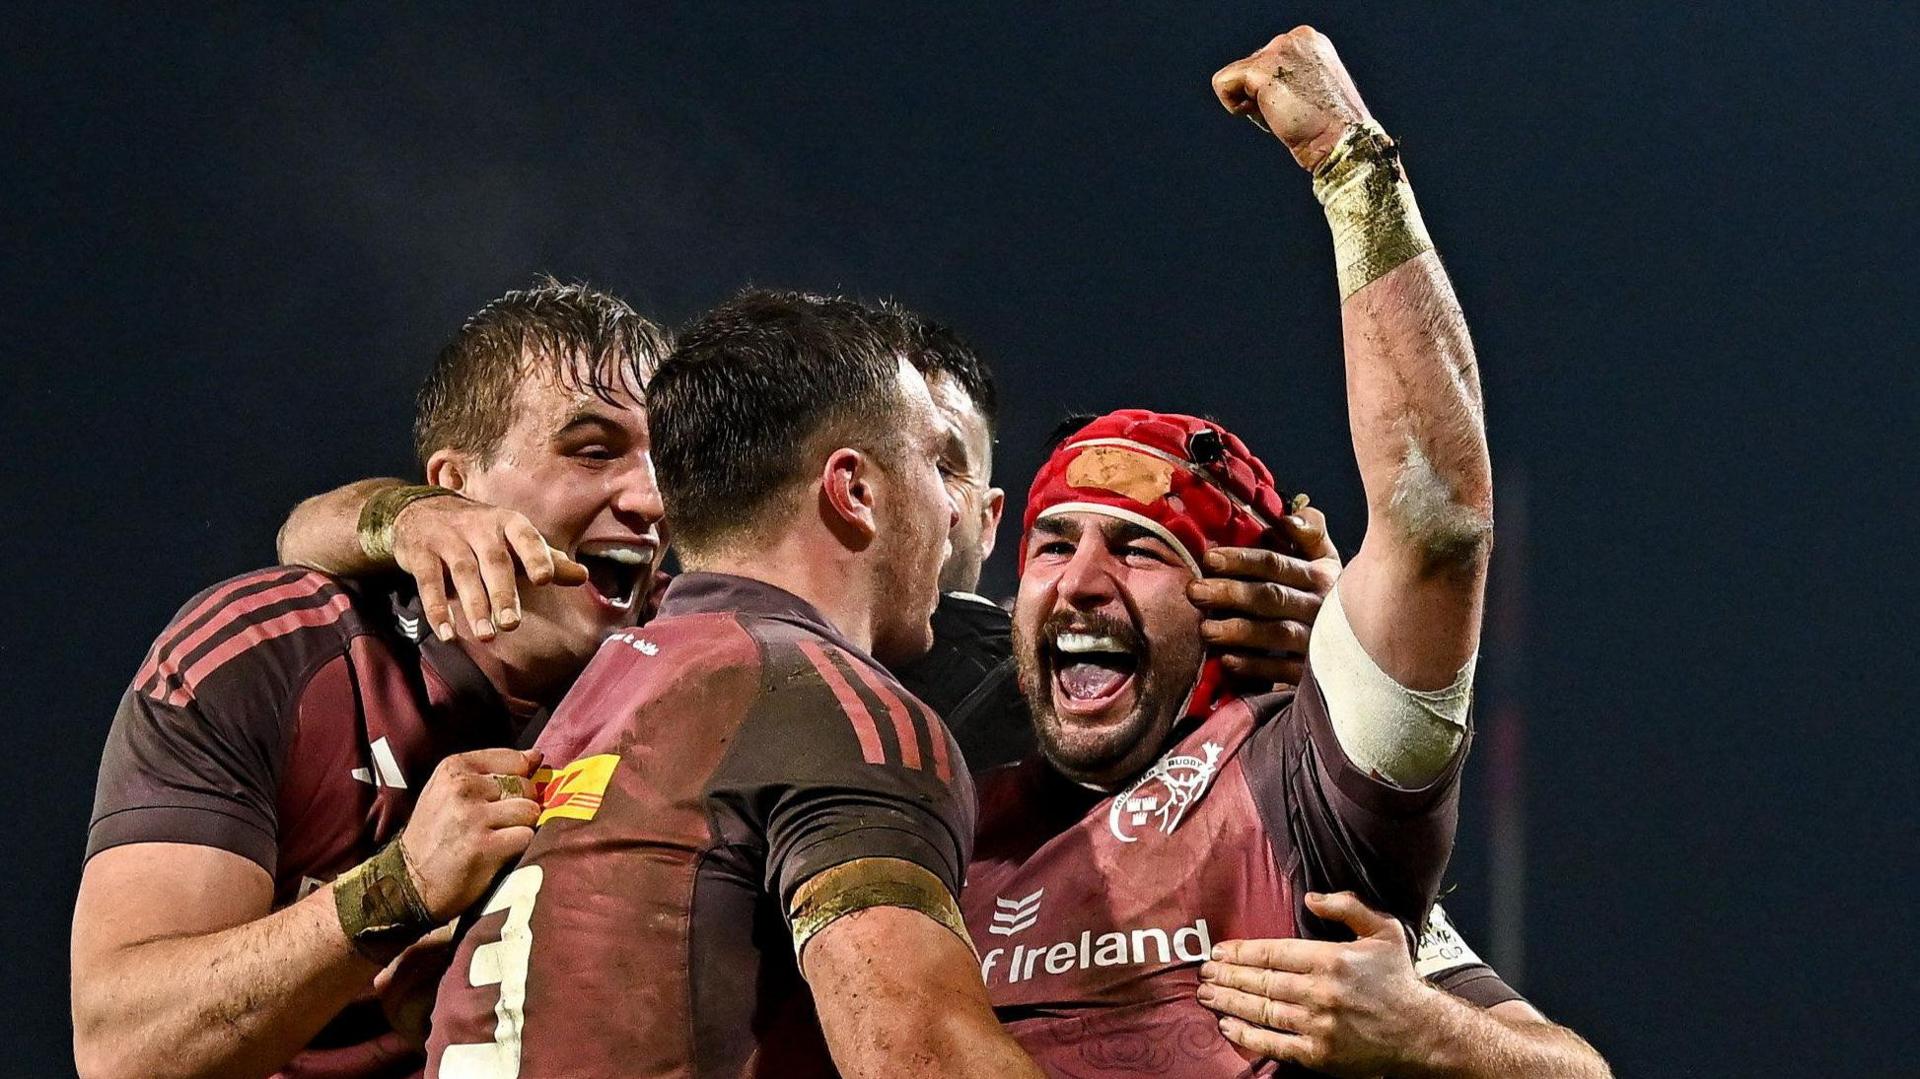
{"x": 1164, "y": 677}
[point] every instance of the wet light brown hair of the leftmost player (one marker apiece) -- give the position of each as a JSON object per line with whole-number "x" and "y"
{"x": 590, "y": 341}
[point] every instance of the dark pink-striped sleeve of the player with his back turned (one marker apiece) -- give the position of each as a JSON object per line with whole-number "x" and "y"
{"x": 836, "y": 763}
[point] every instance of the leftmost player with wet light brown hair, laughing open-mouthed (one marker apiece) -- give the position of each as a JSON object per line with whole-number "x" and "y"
{"x": 304, "y": 780}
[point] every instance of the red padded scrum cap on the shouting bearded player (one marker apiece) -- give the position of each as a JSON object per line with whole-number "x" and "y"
{"x": 1188, "y": 481}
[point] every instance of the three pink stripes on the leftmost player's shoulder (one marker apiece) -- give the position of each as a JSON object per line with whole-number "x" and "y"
{"x": 254, "y": 633}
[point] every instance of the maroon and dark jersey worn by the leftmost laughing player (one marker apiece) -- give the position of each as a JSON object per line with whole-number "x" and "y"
{"x": 293, "y": 719}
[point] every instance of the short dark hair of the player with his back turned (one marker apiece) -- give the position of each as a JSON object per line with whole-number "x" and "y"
{"x": 752, "y": 389}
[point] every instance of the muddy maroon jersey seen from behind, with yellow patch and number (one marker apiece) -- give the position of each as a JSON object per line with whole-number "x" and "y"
{"x": 708, "y": 765}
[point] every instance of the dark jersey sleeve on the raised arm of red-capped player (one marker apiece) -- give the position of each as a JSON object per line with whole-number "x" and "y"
{"x": 1351, "y": 830}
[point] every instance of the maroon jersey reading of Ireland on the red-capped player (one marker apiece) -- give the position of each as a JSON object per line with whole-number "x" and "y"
{"x": 1095, "y": 913}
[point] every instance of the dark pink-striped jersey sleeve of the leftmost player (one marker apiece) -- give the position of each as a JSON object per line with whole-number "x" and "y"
{"x": 199, "y": 742}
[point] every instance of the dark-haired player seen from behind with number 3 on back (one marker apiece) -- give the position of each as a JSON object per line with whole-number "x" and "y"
{"x": 752, "y": 855}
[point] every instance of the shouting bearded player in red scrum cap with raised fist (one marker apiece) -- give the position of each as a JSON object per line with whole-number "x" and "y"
{"x": 1163, "y": 813}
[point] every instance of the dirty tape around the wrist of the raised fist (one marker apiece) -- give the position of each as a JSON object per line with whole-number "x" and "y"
{"x": 1370, "y": 206}
